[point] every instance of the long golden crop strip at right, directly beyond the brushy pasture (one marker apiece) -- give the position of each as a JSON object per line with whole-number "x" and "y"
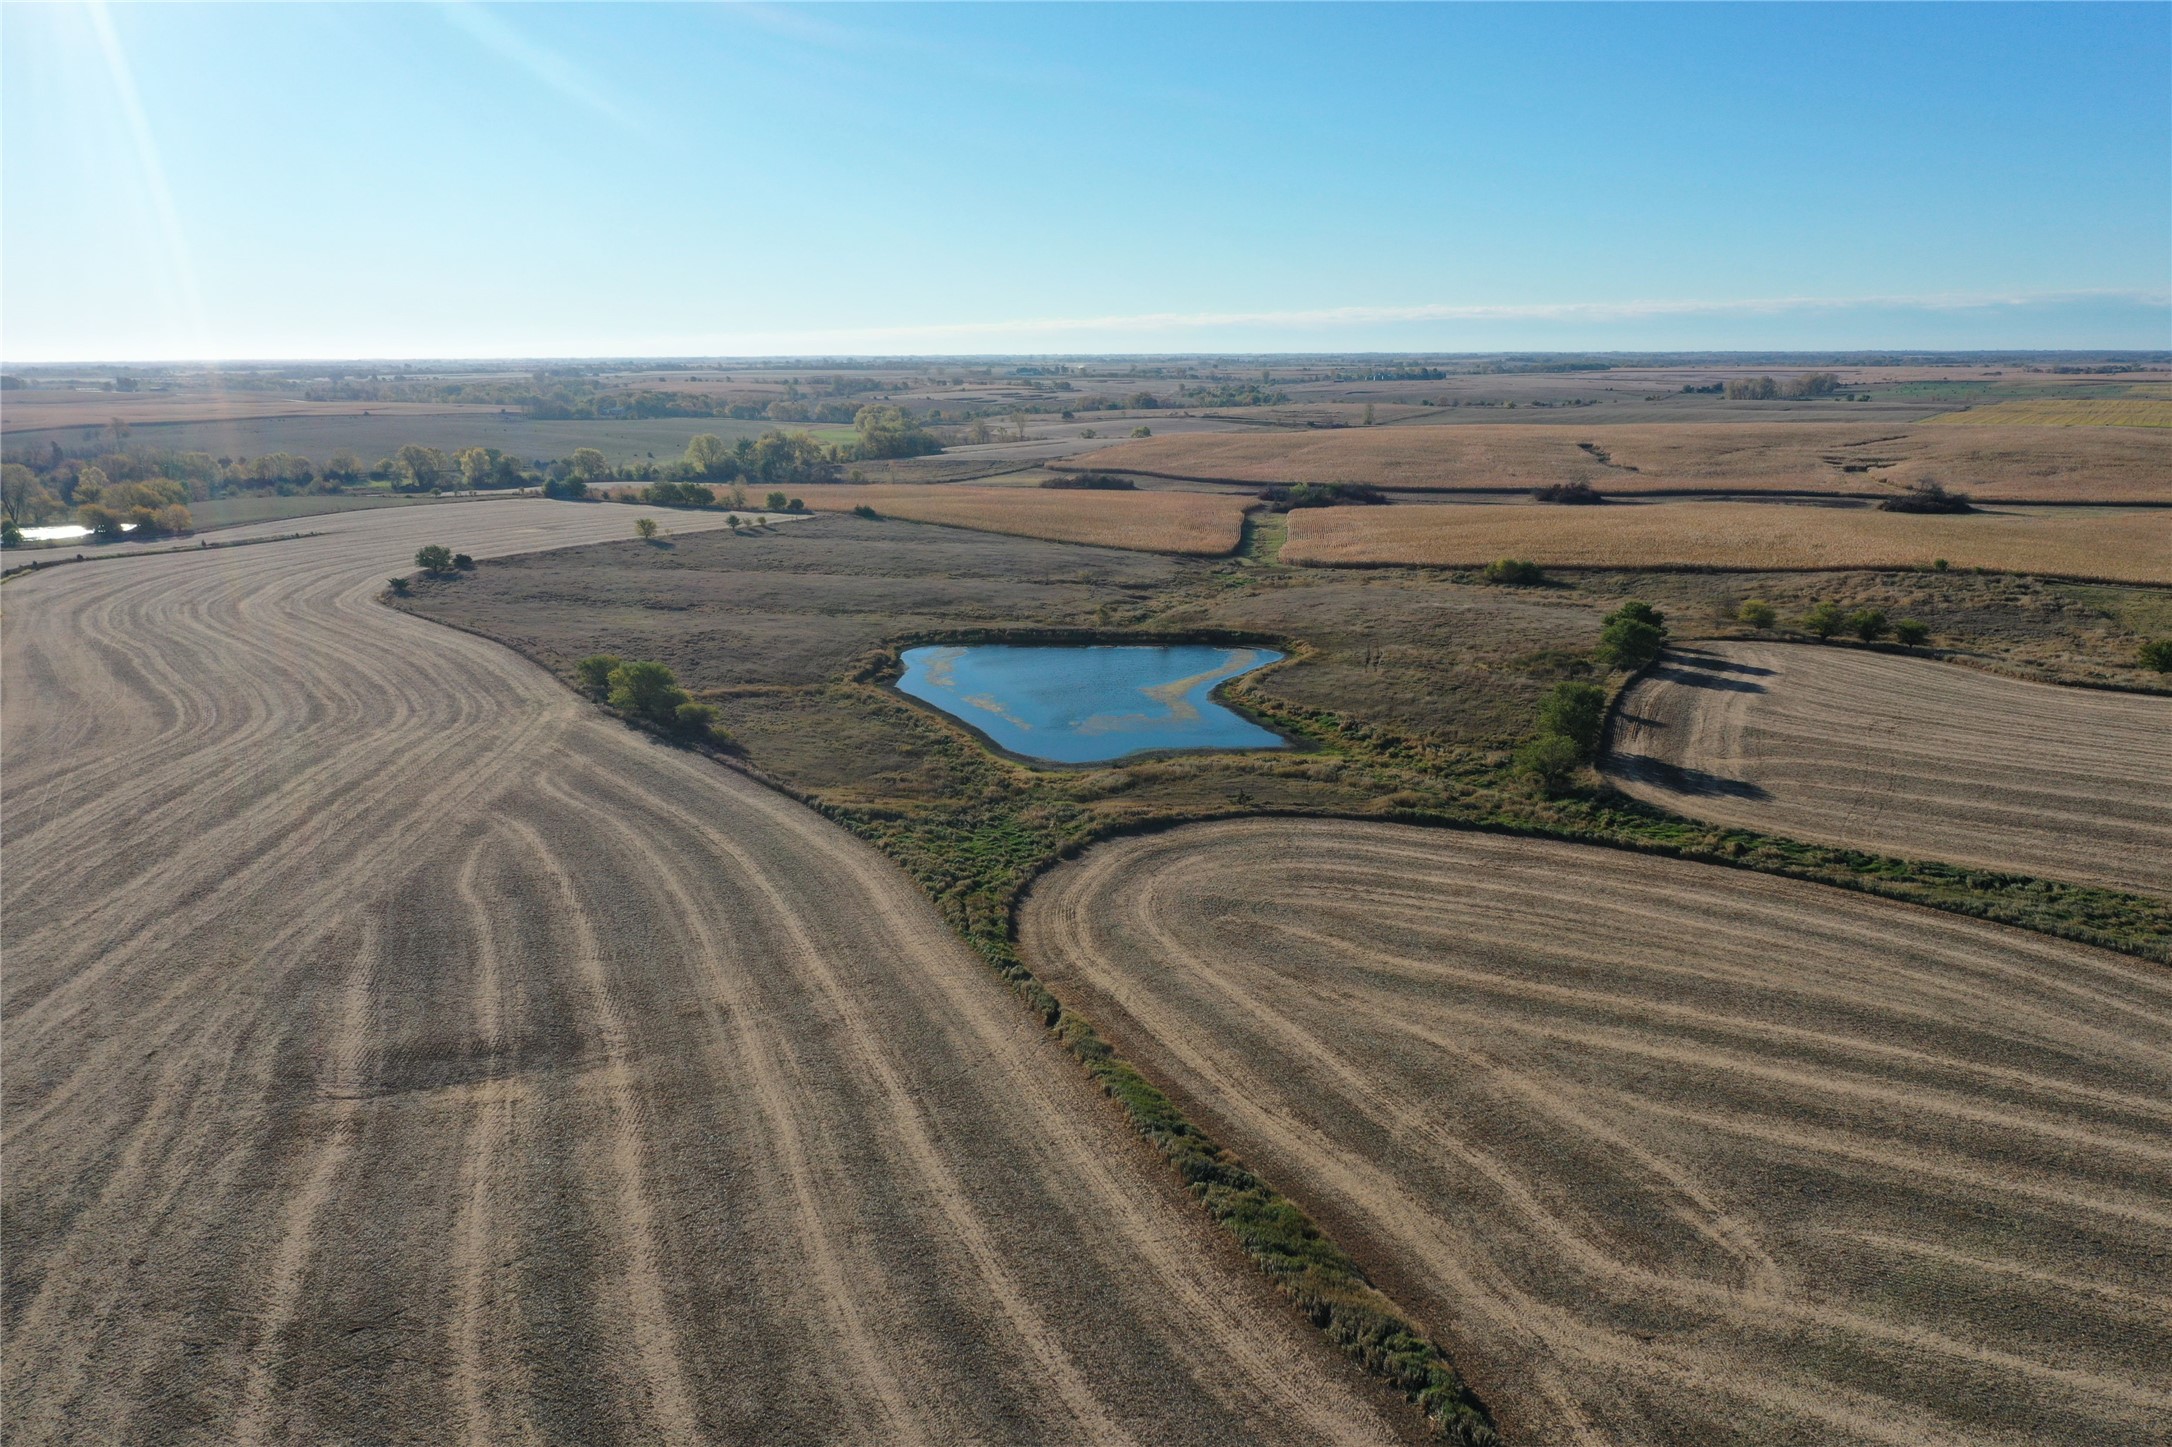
{"x": 2130, "y": 546}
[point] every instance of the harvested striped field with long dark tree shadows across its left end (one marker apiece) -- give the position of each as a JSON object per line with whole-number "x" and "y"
{"x": 1906, "y": 757}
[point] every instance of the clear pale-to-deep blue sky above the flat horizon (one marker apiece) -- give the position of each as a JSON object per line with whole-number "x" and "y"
{"x": 585, "y": 181}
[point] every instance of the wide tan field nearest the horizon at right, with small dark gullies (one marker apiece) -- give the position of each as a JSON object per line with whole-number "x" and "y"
{"x": 1745, "y": 457}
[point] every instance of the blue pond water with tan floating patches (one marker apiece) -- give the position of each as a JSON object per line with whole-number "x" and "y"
{"x": 1091, "y": 703}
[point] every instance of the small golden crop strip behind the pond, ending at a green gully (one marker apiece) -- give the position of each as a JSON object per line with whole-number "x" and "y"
{"x": 1148, "y": 523}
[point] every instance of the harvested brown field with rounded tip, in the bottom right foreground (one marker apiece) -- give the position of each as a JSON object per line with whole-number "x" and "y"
{"x": 1669, "y": 1155}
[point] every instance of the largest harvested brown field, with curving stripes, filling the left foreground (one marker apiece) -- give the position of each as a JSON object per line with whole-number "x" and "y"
{"x": 403, "y": 1053}
